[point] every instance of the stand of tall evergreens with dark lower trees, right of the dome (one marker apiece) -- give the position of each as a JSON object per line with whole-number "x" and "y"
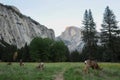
{"x": 105, "y": 45}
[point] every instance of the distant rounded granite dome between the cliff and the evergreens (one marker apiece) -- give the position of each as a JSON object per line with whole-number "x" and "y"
{"x": 72, "y": 38}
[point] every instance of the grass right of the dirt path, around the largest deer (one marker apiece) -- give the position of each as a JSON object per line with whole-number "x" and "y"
{"x": 111, "y": 71}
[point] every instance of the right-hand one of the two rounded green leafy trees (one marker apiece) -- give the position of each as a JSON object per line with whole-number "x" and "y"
{"x": 58, "y": 51}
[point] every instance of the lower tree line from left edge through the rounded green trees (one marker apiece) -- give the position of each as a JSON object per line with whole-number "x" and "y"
{"x": 39, "y": 50}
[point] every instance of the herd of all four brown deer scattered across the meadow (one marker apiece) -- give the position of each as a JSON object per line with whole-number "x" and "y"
{"x": 88, "y": 64}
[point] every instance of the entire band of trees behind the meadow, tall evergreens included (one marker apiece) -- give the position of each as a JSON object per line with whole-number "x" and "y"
{"x": 100, "y": 46}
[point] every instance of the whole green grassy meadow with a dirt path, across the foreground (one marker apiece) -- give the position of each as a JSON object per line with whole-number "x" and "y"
{"x": 66, "y": 71}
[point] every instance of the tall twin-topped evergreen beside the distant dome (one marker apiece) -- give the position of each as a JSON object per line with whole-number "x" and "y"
{"x": 89, "y": 34}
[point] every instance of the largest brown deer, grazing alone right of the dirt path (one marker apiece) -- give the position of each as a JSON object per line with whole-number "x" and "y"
{"x": 91, "y": 64}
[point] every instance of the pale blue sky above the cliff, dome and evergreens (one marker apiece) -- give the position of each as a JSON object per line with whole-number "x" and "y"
{"x": 59, "y": 14}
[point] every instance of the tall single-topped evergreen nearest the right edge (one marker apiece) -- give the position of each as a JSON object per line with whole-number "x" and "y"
{"x": 109, "y": 34}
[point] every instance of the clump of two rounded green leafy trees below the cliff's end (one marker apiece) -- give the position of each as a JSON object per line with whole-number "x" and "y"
{"x": 47, "y": 50}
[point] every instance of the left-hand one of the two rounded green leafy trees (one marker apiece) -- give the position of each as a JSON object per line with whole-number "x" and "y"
{"x": 39, "y": 49}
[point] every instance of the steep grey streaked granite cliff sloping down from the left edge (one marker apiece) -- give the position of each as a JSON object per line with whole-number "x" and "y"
{"x": 18, "y": 29}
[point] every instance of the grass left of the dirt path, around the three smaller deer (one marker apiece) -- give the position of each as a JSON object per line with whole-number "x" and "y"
{"x": 28, "y": 71}
